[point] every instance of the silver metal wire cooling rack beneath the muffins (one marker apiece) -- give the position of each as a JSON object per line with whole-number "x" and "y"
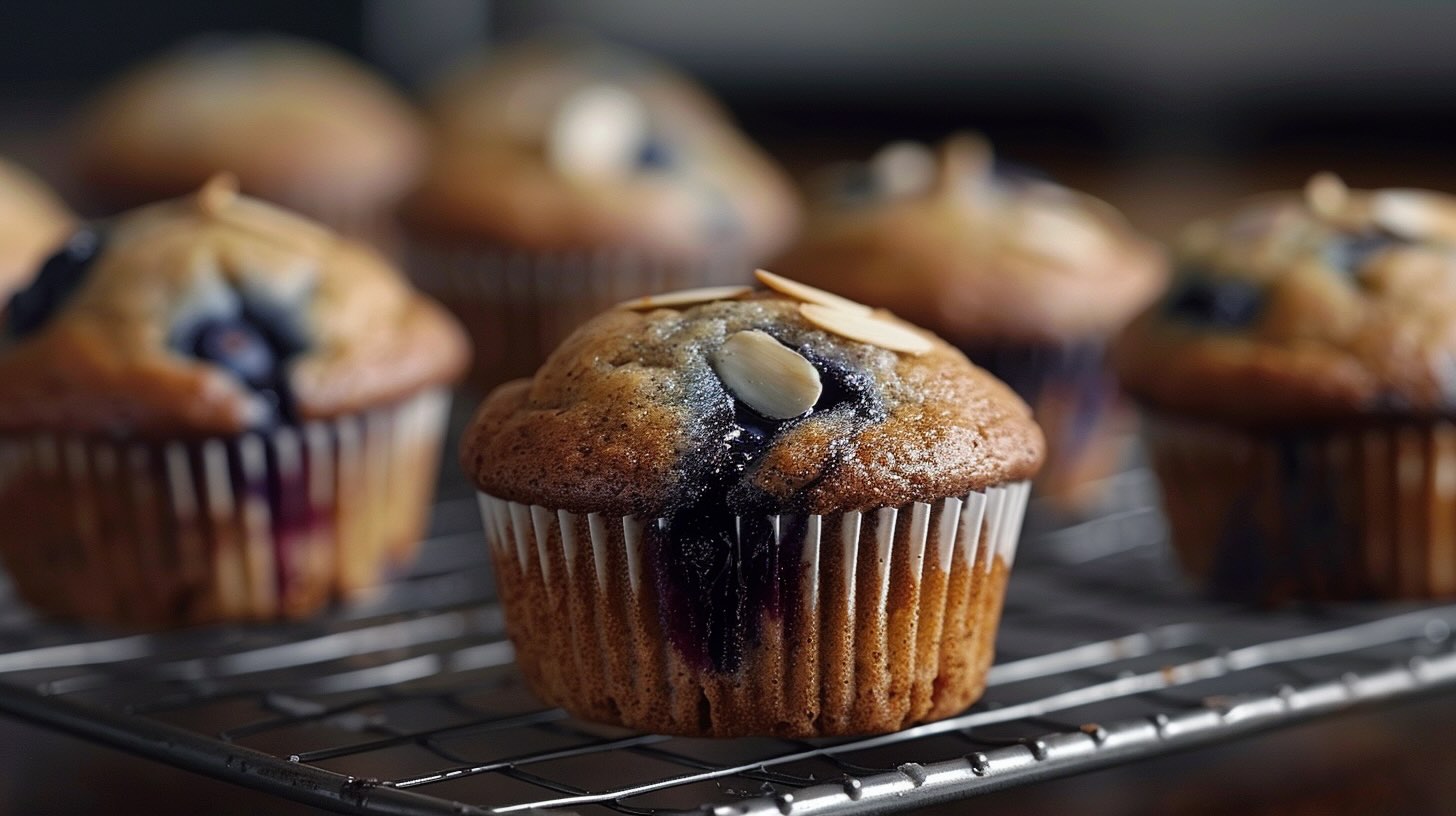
{"x": 410, "y": 703}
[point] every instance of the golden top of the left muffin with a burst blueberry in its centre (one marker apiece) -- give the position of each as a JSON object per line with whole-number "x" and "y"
{"x": 215, "y": 314}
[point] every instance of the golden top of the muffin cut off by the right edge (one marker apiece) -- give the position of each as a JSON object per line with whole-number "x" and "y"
{"x": 1327, "y": 305}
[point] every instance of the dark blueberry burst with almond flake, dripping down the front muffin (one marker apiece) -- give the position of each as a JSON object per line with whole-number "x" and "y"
{"x": 720, "y": 565}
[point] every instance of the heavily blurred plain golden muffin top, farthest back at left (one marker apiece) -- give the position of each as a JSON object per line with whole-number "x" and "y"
{"x": 296, "y": 122}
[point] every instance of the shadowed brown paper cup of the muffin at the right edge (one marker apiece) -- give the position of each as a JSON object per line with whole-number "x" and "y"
{"x": 1334, "y": 514}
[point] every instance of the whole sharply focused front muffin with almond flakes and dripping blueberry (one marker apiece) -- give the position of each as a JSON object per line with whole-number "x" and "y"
{"x": 753, "y": 512}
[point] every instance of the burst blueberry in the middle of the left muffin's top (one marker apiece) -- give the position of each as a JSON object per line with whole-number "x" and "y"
{"x": 254, "y": 346}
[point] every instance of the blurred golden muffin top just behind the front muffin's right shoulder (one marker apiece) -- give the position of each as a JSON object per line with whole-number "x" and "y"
{"x": 973, "y": 251}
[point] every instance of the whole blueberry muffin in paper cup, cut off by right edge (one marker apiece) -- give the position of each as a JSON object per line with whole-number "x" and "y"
{"x": 1299, "y": 384}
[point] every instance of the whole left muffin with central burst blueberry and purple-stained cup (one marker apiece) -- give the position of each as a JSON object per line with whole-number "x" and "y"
{"x": 215, "y": 410}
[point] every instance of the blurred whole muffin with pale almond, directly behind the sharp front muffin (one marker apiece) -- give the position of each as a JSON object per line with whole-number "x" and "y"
{"x": 571, "y": 176}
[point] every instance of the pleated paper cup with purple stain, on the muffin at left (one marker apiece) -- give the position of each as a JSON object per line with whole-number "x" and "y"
{"x": 257, "y": 527}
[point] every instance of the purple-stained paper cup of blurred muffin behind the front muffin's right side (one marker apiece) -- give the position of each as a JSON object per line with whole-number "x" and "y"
{"x": 1077, "y": 401}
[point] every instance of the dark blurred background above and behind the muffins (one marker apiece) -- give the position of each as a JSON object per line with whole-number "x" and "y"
{"x": 1166, "y": 107}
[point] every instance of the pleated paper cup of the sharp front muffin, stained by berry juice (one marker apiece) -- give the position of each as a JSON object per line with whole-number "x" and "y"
{"x": 839, "y": 624}
